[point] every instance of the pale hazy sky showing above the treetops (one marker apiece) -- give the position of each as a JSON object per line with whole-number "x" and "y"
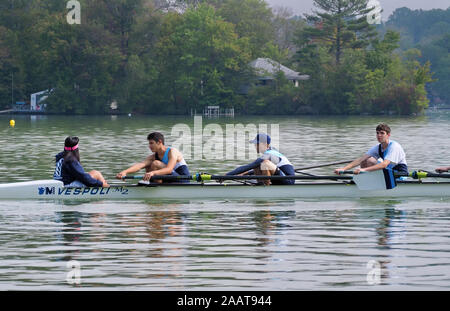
{"x": 304, "y": 6}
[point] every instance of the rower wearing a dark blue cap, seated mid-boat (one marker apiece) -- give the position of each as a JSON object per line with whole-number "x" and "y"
{"x": 271, "y": 163}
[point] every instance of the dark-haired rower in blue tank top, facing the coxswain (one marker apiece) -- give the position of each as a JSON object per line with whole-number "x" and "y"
{"x": 164, "y": 160}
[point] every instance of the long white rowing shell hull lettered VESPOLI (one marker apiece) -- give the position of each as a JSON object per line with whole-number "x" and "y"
{"x": 52, "y": 189}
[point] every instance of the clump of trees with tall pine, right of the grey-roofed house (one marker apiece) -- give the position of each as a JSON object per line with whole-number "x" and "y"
{"x": 354, "y": 72}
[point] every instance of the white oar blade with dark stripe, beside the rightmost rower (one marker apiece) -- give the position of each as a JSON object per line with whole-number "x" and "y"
{"x": 376, "y": 180}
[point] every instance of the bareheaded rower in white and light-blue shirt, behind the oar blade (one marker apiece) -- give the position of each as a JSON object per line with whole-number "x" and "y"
{"x": 387, "y": 154}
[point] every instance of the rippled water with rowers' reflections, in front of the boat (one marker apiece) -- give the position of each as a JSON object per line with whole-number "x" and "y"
{"x": 226, "y": 246}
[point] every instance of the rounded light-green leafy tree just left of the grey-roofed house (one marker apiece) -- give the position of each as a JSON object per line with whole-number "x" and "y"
{"x": 199, "y": 59}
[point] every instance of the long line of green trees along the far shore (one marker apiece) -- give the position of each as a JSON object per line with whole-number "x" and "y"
{"x": 168, "y": 57}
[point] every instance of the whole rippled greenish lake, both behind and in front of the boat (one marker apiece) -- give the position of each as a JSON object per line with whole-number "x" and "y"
{"x": 315, "y": 244}
